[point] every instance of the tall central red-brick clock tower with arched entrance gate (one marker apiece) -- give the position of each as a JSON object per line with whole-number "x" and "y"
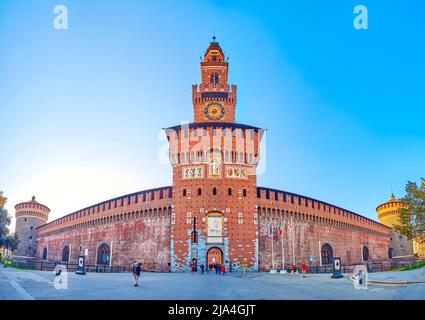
{"x": 214, "y": 164}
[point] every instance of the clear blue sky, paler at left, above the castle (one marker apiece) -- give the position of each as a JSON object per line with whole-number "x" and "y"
{"x": 82, "y": 109}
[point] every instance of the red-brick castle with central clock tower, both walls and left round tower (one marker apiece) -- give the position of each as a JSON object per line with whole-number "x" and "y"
{"x": 213, "y": 212}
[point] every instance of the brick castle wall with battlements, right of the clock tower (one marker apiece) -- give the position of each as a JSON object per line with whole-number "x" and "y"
{"x": 314, "y": 223}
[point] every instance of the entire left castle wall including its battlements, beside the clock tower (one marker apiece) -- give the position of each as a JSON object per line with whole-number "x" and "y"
{"x": 135, "y": 227}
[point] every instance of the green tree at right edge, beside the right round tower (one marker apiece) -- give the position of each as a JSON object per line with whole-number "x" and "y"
{"x": 412, "y": 216}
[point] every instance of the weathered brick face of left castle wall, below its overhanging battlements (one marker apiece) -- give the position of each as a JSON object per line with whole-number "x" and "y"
{"x": 144, "y": 238}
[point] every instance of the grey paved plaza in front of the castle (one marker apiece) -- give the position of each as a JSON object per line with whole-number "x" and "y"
{"x": 20, "y": 284}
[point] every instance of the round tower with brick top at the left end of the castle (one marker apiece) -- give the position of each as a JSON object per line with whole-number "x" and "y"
{"x": 29, "y": 216}
